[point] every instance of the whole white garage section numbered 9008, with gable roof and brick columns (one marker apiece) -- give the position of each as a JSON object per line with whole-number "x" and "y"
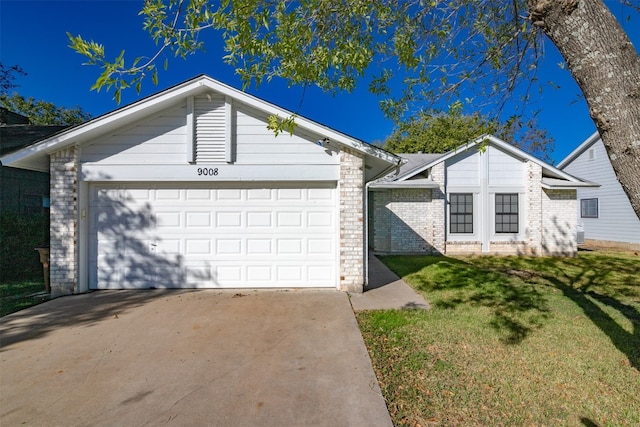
{"x": 188, "y": 188}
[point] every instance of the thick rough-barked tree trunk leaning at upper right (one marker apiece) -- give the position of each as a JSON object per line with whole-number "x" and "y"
{"x": 606, "y": 66}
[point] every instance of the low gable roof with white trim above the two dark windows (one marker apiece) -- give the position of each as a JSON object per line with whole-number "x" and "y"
{"x": 551, "y": 176}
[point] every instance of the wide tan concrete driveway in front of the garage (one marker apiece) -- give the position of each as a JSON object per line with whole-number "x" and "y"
{"x": 207, "y": 357}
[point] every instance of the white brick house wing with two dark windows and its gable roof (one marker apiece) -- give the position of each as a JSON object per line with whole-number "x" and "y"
{"x": 494, "y": 199}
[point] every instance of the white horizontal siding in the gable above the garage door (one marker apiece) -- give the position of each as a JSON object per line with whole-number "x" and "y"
{"x": 163, "y": 139}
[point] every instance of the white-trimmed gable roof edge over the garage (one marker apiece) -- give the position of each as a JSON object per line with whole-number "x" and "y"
{"x": 35, "y": 157}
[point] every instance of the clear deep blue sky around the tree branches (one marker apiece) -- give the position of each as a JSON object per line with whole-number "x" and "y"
{"x": 33, "y": 35}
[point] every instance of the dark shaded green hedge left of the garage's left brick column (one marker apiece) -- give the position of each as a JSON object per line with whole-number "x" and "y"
{"x": 19, "y": 235}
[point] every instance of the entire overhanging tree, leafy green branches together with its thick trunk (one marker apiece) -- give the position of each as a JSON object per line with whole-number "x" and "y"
{"x": 436, "y": 49}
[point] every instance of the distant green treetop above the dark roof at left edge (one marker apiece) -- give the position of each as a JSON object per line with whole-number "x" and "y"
{"x": 42, "y": 112}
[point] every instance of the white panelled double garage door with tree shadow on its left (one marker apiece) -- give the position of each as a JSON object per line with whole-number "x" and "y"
{"x": 194, "y": 236}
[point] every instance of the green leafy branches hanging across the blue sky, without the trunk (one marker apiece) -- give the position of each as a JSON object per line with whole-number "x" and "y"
{"x": 435, "y": 49}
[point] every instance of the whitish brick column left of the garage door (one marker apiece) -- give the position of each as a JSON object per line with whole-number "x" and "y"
{"x": 63, "y": 214}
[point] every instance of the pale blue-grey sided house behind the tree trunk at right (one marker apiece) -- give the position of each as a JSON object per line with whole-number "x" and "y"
{"x": 604, "y": 213}
